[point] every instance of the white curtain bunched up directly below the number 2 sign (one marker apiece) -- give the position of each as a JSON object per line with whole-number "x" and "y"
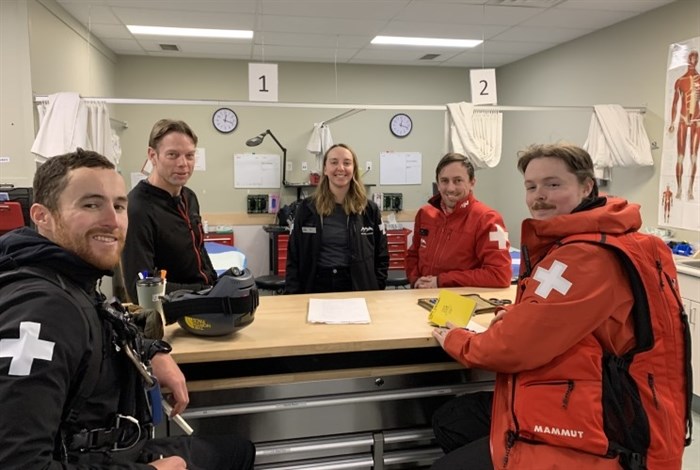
{"x": 475, "y": 134}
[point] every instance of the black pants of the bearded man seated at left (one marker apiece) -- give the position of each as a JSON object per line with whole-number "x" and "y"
{"x": 203, "y": 453}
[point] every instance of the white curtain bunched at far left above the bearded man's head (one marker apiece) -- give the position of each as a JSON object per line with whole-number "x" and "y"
{"x": 67, "y": 122}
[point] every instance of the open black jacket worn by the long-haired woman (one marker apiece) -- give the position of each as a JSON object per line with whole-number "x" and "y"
{"x": 369, "y": 257}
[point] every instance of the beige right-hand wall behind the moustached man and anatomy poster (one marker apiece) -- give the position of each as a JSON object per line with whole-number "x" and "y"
{"x": 623, "y": 64}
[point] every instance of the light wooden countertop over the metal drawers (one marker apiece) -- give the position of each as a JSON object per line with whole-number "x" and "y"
{"x": 280, "y": 328}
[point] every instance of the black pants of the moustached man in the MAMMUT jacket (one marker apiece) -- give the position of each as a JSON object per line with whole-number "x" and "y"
{"x": 462, "y": 427}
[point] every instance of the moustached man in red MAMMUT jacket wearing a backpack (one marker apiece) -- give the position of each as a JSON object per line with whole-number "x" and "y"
{"x": 574, "y": 311}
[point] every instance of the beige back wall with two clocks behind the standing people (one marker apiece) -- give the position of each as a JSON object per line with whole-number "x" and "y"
{"x": 366, "y": 132}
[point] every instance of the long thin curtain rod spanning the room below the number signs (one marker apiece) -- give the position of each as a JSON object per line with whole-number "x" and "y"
{"x": 395, "y": 107}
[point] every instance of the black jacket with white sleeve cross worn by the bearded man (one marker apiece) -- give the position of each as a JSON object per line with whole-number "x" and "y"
{"x": 32, "y": 401}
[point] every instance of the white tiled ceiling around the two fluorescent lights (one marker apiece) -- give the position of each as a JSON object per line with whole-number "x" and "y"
{"x": 341, "y": 30}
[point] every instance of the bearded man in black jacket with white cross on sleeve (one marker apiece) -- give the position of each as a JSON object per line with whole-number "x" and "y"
{"x": 70, "y": 395}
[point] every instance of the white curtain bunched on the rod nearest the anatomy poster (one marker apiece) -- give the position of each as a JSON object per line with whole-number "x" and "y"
{"x": 617, "y": 138}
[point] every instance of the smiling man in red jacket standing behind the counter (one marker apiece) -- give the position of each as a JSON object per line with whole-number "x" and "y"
{"x": 458, "y": 240}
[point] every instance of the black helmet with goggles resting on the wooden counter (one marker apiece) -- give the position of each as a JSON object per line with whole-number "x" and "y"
{"x": 227, "y": 307}
